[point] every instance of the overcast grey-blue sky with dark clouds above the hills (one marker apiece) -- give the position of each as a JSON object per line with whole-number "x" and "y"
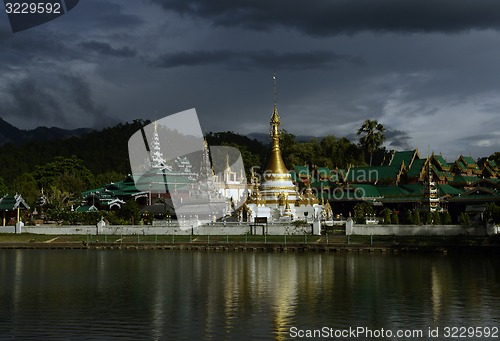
{"x": 429, "y": 70}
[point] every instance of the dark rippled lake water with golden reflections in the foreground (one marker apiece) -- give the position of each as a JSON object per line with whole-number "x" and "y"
{"x": 175, "y": 295}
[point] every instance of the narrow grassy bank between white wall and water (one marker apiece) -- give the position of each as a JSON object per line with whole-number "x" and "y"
{"x": 251, "y": 243}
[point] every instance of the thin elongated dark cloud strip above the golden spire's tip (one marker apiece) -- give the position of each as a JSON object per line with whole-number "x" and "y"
{"x": 254, "y": 59}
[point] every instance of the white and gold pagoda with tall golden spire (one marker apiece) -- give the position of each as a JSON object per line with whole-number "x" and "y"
{"x": 277, "y": 196}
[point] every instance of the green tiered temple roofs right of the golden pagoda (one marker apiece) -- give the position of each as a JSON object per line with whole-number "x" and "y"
{"x": 405, "y": 180}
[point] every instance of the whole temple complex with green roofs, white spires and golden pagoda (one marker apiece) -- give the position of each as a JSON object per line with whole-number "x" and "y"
{"x": 405, "y": 181}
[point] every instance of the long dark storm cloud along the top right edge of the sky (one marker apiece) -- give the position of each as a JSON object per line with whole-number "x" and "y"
{"x": 325, "y": 17}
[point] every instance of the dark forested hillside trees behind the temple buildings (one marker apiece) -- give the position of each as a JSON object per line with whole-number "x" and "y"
{"x": 64, "y": 168}
